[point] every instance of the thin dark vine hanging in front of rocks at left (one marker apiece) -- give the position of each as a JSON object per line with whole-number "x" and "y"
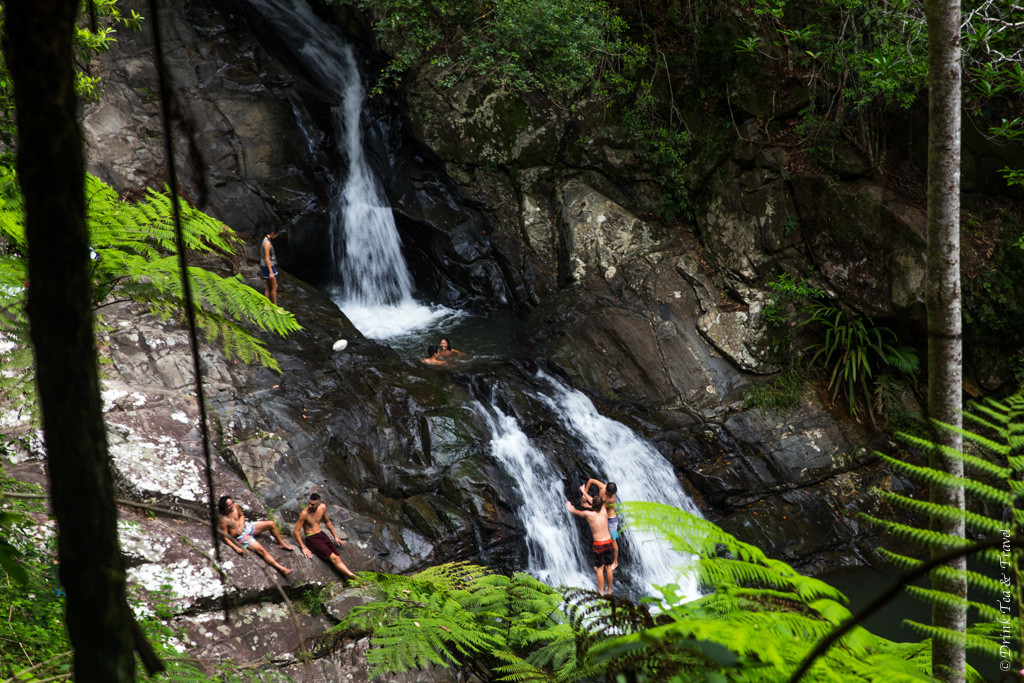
{"x": 165, "y": 110}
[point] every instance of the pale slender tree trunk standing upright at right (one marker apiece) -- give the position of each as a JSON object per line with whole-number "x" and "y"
{"x": 944, "y": 301}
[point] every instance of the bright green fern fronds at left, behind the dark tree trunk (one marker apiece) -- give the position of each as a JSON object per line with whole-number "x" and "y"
{"x": 135, "y": 260}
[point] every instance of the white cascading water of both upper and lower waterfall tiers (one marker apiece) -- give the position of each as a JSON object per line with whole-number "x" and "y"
{"x": 374, "y": 289}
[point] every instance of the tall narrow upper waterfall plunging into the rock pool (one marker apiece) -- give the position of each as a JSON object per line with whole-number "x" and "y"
{"x": 371, "y": 282}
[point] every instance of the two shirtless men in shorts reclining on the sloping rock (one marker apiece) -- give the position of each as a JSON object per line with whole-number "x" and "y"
{"x": 241, "y": 534}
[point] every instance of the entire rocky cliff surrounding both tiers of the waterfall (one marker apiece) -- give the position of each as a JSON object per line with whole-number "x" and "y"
{"x": 500, "y": 205}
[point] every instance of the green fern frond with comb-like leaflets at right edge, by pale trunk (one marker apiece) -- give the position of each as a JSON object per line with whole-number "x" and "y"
{"x": 994, "y": 463}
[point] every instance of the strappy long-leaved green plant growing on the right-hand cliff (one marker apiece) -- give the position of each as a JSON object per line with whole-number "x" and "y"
{"x": 854, "y": 351}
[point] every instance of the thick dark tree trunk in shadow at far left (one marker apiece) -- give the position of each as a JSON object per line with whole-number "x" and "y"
{"x": 52, "y": 170}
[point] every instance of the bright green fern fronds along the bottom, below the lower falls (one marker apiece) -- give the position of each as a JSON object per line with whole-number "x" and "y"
{"x": 757, "y": 622}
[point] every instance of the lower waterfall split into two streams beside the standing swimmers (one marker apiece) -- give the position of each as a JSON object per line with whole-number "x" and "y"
{"x": 614, "y": 453}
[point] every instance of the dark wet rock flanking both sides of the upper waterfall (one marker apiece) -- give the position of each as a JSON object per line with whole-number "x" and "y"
{"x": 257, "y": 148}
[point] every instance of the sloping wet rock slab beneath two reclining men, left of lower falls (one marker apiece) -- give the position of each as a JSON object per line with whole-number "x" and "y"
{"x": 404, "y": 476}
